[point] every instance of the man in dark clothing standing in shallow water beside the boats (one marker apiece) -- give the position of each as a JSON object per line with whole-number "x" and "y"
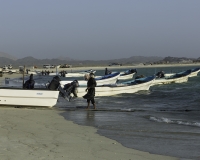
{"x": 91, "y": 84}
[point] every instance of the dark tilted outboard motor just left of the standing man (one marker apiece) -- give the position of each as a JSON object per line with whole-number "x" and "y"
{"x": 71, "y": 88}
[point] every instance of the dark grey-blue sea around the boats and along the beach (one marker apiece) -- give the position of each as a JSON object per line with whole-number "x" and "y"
{"x": 164, "y": 120}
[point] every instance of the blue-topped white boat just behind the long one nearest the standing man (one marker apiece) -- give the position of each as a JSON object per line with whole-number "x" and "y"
{"x": 101, "y": 80}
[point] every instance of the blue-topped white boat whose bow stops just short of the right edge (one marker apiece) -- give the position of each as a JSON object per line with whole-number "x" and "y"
{"x": 173, "y": 78}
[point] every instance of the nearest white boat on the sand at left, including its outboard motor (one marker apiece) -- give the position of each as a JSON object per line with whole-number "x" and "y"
{"x": 45, "y": 97}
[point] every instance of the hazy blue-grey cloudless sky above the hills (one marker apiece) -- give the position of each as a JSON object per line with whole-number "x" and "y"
{"x": 100, "y": 29}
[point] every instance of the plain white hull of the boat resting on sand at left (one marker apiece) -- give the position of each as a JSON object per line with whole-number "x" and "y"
{"x": 22, "y": 97}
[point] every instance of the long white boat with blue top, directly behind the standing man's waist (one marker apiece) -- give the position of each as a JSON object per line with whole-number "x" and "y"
{"x": 120, "y": 88}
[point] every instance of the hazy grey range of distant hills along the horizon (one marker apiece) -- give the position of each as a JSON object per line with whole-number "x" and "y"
{"x": 31, "y": 61}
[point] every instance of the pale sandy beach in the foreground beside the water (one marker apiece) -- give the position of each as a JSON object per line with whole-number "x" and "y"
{"x": 45, "y": 134}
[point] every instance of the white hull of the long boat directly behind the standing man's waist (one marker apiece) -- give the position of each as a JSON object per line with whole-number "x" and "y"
{"x": 114, "y": 90}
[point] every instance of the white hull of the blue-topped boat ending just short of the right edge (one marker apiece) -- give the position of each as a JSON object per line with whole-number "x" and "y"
{"x": 168, "y": 81}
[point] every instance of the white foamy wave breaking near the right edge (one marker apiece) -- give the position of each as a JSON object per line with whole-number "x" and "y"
{"x": 179, "y": 122}
